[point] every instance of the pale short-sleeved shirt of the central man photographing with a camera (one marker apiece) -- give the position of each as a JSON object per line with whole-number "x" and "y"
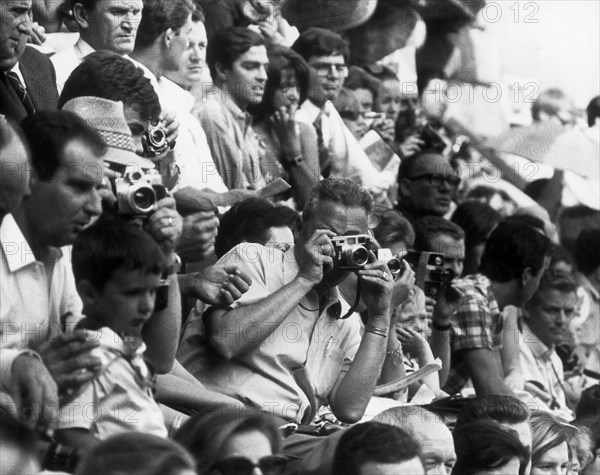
{"x": 294, "y": 369}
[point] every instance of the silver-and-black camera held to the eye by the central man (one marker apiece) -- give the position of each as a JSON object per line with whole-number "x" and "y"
{"x": 352, "y": 253}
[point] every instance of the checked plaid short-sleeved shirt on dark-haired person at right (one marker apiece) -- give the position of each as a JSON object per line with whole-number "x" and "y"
{"x": 476, "y": 324}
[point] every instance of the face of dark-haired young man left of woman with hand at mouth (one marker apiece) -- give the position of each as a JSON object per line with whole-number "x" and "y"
{"x": 245, "y": 80}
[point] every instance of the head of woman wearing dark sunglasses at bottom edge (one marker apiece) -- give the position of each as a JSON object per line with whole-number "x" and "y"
{"x": 231, "y": 442}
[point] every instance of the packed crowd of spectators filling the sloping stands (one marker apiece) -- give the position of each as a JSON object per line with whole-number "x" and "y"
{"x": 236, "y": 253}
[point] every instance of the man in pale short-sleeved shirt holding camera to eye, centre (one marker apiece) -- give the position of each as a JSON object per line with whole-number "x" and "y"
{"x": 284, "y": 347}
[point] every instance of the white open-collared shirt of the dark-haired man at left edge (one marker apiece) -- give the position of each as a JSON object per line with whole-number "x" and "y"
{"x": 34, "y": 295}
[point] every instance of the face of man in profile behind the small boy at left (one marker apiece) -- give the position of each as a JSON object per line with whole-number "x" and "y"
{"x": 59, "y": 209}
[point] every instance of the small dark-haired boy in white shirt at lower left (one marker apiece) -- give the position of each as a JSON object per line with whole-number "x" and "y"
{"x": 117, "y": 269}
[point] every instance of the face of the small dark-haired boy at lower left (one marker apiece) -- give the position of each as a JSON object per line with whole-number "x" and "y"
{"x": 126, "y": 301}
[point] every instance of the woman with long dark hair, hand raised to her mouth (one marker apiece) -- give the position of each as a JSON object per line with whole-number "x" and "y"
{"x": 290, "y": 148}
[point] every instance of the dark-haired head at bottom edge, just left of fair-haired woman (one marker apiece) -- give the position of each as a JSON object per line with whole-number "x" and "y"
{"x": 487, "y": 448}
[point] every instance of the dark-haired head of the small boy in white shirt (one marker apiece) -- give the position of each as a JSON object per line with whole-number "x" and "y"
{"x": 117, "y": 268}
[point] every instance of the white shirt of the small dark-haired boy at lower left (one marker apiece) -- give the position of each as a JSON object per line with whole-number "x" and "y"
{"x": 120, "y": 398}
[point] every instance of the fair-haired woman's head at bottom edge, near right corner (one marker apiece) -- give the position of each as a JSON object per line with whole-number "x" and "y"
{"x": 550, "y": 450}
